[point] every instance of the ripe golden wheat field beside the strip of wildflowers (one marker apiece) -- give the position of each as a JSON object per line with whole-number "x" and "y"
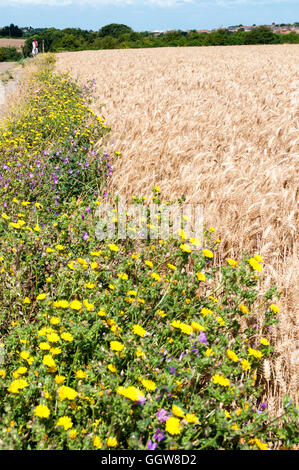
{"x": 220, "y": 125}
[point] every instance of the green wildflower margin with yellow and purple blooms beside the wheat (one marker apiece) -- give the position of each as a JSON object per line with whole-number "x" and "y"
{"x": 118, "y": 343}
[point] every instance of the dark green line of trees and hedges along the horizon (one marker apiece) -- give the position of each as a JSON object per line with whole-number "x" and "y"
{"x": 119, "y": 36}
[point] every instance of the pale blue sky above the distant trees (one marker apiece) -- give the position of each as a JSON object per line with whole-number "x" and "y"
{"x": 142, "y": 15}
